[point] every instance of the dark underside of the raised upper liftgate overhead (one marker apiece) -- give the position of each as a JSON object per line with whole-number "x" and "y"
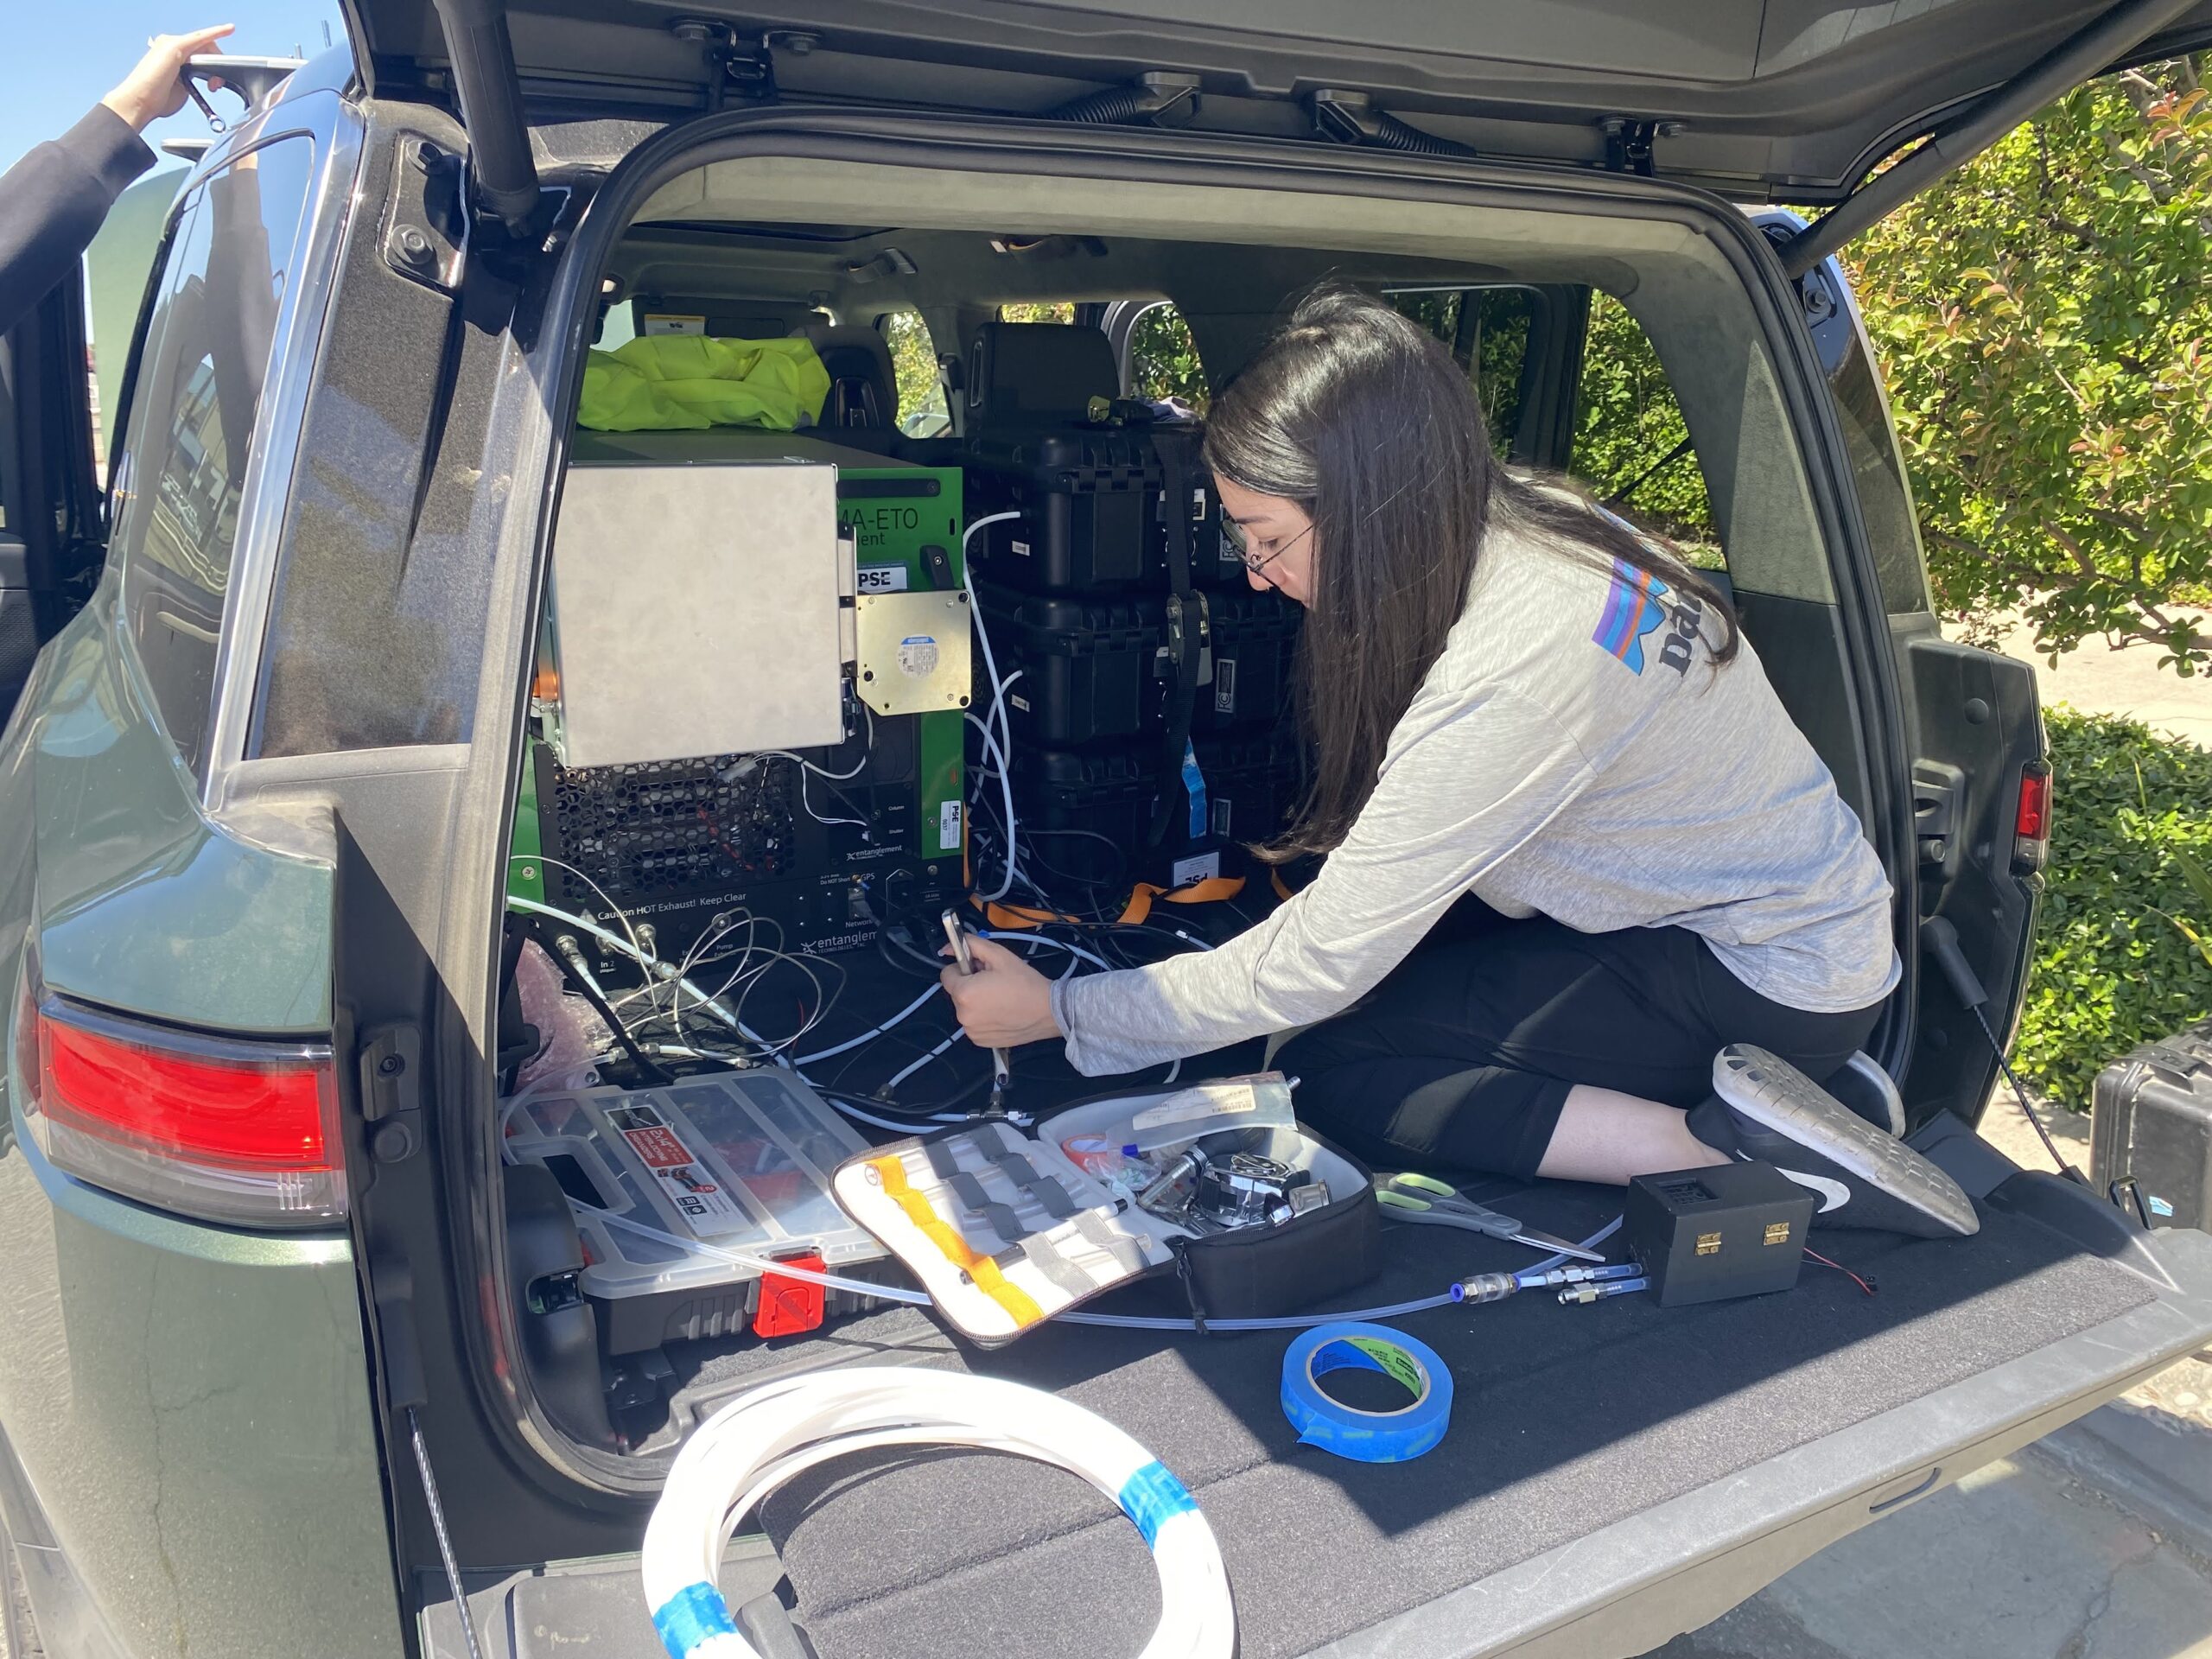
{"x": 1777, "y": 101}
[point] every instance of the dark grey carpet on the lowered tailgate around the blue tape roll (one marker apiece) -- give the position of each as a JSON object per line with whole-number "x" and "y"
{"x": 1565, "y": 1421}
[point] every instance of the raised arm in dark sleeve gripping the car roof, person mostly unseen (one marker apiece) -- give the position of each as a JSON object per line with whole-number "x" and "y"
{"x": 54, "y": 200}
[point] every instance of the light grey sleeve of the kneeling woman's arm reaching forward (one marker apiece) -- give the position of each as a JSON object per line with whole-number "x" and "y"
{"x": 1450, "y": 806}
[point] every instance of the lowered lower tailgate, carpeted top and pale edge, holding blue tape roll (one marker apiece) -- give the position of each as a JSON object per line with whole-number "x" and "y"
{"x": 1614, "y": 1474}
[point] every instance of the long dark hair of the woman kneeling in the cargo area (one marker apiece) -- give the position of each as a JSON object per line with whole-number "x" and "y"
{"x": 1364, "y": 419}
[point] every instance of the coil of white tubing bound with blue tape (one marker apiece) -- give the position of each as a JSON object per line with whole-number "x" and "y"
{"x": 780, "y": 1430}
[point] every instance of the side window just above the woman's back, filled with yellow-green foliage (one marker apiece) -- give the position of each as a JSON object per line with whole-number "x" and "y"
{"x": 1631, "y": 441}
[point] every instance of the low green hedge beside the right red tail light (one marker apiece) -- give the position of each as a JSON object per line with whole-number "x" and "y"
{"x": 2109, "y": 970}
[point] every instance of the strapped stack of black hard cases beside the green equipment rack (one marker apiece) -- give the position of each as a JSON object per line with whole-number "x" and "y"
{"x": 1156, "y": 685}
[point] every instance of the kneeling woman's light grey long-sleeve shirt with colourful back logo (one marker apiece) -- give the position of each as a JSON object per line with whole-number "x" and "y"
{"x": 1574, "y": 753}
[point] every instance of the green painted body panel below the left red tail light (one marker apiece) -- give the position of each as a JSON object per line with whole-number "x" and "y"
{"x": 189, "y": 1428}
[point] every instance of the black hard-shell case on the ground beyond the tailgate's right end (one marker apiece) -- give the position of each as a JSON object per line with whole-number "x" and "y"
{"x": 2151, "y": 1131}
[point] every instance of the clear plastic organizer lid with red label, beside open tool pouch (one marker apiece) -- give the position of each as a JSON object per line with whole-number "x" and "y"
{"x": 720, "y": 1162}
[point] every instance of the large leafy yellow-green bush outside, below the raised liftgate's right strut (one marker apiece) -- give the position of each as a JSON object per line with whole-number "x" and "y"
{"x": 2045, "y": 324}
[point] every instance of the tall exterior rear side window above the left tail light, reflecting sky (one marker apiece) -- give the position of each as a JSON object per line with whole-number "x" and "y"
{"x": 180, "y": 470}
